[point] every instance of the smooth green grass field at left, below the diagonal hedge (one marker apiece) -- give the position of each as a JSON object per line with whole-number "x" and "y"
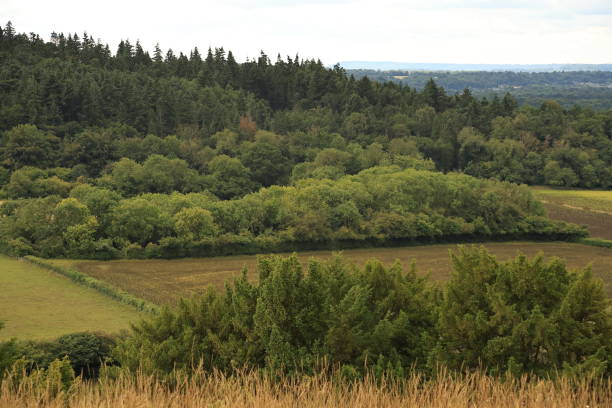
{"x": 38, "y": 304}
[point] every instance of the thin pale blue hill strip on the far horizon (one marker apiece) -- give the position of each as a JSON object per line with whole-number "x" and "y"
{"x": 412, "y": 66}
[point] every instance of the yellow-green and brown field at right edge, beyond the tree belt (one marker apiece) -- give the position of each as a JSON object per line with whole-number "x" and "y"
{"x": 584, "y": 207}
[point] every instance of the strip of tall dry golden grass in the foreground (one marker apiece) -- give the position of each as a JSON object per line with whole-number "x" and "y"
{"x": 252, "y": 390}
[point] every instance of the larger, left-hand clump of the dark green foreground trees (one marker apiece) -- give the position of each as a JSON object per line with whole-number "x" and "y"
{"x": 291, "y": 320}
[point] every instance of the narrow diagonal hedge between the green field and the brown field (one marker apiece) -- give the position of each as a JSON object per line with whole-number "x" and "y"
{"x": 98, "y": 285}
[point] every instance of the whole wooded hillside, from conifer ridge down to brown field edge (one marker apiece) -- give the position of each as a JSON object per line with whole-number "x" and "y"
{"x": 132, "y": 154}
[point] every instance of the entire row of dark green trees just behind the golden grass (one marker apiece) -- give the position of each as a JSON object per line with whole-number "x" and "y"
{"x": 514, "y": 317}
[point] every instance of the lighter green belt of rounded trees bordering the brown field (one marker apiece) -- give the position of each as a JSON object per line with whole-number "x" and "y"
{"x": 376, "y": 206}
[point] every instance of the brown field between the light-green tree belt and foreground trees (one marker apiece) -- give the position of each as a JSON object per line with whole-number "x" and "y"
{"x": 165, "y": 281}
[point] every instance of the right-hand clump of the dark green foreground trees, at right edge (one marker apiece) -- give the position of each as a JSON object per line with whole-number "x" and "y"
{"x": 523, "y": 316}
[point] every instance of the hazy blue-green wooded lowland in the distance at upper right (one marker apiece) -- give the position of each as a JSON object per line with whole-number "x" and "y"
{"x": 569, "y": 88}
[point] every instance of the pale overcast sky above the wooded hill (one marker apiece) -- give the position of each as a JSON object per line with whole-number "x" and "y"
{"x": 444, "y": 31}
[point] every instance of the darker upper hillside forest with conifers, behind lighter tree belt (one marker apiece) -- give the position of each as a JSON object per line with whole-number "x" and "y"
{"x": 71, "y": 103}
